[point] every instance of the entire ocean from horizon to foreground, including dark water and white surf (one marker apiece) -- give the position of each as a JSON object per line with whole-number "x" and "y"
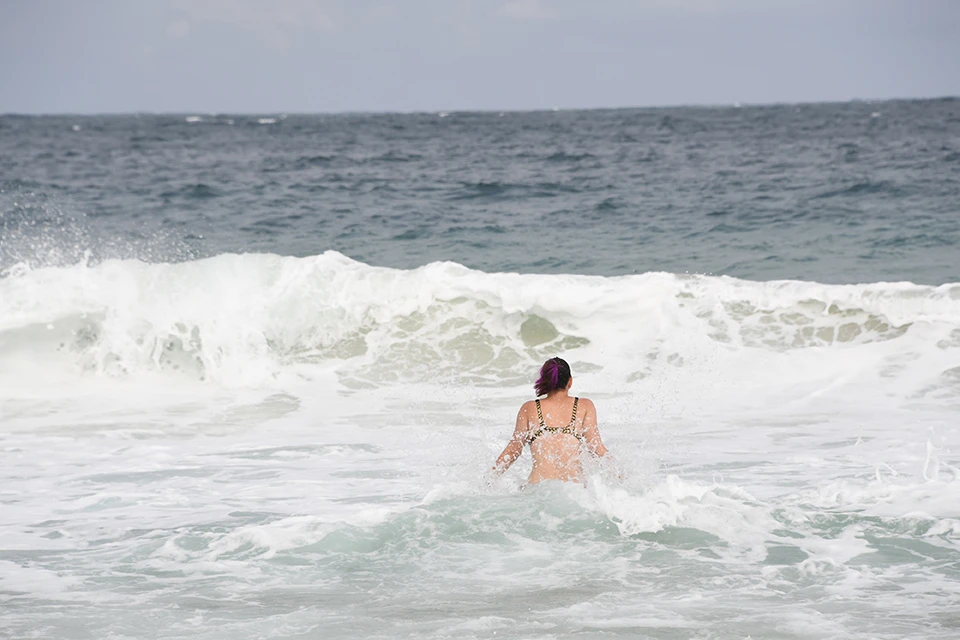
{"x": 255, "y": 369}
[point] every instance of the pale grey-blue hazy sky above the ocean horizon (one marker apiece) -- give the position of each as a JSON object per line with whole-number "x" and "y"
{"x": 307, "y": 56}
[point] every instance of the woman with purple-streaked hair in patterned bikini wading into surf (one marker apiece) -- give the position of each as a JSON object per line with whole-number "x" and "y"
{"x": 557, "y": 427}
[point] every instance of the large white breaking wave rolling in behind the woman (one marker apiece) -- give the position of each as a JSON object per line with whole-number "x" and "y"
{"x": 245, "y": 319}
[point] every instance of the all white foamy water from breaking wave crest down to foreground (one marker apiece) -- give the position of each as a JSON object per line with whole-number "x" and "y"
{"x": 264, "y": 446}
